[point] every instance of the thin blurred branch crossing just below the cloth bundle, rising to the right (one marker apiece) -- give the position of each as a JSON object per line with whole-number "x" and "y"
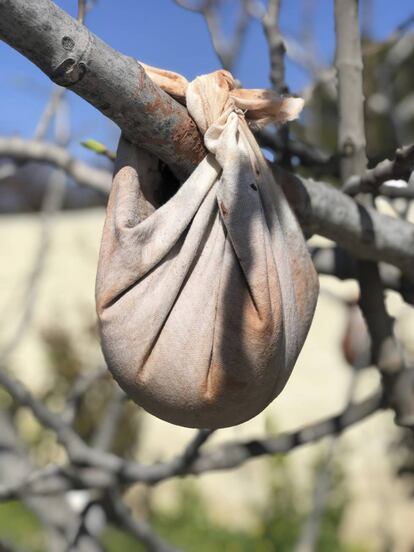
{"x": 108, "y": 469}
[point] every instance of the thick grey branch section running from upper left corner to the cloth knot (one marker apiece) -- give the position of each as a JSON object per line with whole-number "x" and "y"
{"x": 115, "y": 84}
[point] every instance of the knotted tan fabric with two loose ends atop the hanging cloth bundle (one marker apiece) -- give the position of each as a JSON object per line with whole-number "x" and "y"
{"x": 211, "y": 96}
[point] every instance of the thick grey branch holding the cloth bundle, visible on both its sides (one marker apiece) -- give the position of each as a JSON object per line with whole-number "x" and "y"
{"x": 118, "y": 87}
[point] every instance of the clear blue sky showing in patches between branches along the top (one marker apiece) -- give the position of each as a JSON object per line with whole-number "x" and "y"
{"x": 160, "y": 33}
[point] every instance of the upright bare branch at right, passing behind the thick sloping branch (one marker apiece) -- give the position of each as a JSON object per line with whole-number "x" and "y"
{"x": 386, "y": 351}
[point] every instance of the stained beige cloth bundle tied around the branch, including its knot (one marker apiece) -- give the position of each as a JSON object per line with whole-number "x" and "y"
{"x": 205, "y": 304}
